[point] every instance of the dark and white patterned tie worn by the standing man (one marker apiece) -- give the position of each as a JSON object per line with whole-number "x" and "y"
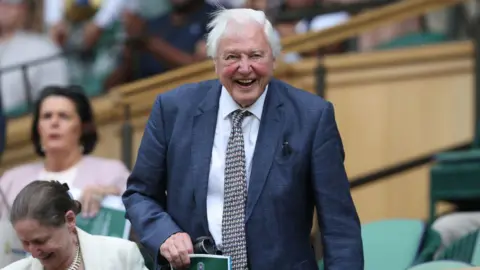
{"x": 235, "y": 196}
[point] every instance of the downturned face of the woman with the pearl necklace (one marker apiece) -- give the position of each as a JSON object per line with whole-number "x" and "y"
{"x": 52, "y": 246}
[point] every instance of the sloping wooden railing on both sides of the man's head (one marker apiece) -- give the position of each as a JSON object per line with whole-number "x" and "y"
{"x": 307, "y": 42}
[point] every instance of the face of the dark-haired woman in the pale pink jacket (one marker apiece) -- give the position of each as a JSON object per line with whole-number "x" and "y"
{"x": 59, "y": 124}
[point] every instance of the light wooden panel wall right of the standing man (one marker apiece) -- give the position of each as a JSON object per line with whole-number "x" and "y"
{"x": 395, "y": 106}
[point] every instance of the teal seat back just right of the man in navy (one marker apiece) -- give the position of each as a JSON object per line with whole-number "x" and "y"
{"x": 391, "y": 244}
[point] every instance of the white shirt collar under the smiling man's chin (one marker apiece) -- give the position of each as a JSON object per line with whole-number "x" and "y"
{"x": 227, "y": 105}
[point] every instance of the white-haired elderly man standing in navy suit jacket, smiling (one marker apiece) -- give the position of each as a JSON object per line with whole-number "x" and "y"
{"x": 243, "y": 159}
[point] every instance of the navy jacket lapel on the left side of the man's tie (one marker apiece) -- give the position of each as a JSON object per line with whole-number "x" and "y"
{"x": 203, "y": 134}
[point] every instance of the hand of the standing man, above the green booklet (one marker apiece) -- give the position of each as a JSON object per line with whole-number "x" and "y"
{"x": 176, "y": 249}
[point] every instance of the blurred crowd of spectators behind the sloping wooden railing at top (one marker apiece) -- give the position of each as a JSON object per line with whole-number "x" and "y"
{"x": 101, "y": 44}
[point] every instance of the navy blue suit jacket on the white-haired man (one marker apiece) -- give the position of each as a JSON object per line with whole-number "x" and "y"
{"x": 174, "y": 159}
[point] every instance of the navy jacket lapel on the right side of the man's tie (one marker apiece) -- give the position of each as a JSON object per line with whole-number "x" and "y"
{"x": 267, "y": 140}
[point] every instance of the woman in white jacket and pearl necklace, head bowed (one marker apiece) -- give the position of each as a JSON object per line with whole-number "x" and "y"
{"x": 43, "y": 216}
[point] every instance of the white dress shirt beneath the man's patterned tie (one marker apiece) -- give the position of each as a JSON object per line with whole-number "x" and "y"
{"x": 250, "y": 127}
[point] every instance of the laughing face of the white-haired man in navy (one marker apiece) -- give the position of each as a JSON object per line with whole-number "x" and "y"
{"x": 244, "y": 62}
